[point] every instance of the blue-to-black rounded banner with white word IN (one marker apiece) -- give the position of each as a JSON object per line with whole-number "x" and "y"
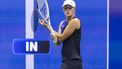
{"x": 30, "y": 46}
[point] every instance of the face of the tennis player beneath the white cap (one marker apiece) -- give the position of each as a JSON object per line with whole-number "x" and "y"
{"x": 68, "y": 10}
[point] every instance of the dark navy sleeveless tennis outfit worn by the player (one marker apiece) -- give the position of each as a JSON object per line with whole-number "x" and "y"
{"x": 71, "y": 58}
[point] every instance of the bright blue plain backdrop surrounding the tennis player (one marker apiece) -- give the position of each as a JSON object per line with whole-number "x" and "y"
{"x": 93, "y": 16}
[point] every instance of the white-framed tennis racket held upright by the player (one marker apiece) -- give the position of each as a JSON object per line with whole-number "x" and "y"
{"x": 43, "y": 10}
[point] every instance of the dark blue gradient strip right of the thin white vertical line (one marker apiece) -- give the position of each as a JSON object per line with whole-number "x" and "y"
{"x": 115, "y": 41}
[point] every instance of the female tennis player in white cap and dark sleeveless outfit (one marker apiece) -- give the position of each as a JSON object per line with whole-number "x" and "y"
{"x": 69, "y": 33}
